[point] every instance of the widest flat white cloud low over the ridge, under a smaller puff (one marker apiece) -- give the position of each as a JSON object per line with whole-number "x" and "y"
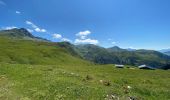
{"x": 86, "y": 41}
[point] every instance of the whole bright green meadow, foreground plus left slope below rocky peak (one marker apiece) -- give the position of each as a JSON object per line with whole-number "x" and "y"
{"x": 31, "y": 70}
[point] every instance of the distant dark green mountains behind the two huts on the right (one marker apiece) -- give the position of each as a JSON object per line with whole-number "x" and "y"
{"x": 117, "y": 55}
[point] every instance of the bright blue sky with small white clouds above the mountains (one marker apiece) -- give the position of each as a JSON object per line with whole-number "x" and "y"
{"x": 125, "y": 23}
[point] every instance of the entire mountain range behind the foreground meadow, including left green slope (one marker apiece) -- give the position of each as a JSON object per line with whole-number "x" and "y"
{"x": 36, "y": 50}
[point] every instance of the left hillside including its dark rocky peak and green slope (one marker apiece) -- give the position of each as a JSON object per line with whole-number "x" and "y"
{"x": 18, "y": 46}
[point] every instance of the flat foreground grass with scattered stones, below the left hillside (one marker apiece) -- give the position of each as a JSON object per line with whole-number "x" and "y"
{"x": 58, "y": 82}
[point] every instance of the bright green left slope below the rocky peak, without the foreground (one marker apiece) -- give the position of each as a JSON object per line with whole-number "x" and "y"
{"x": 35, "y": 52}
